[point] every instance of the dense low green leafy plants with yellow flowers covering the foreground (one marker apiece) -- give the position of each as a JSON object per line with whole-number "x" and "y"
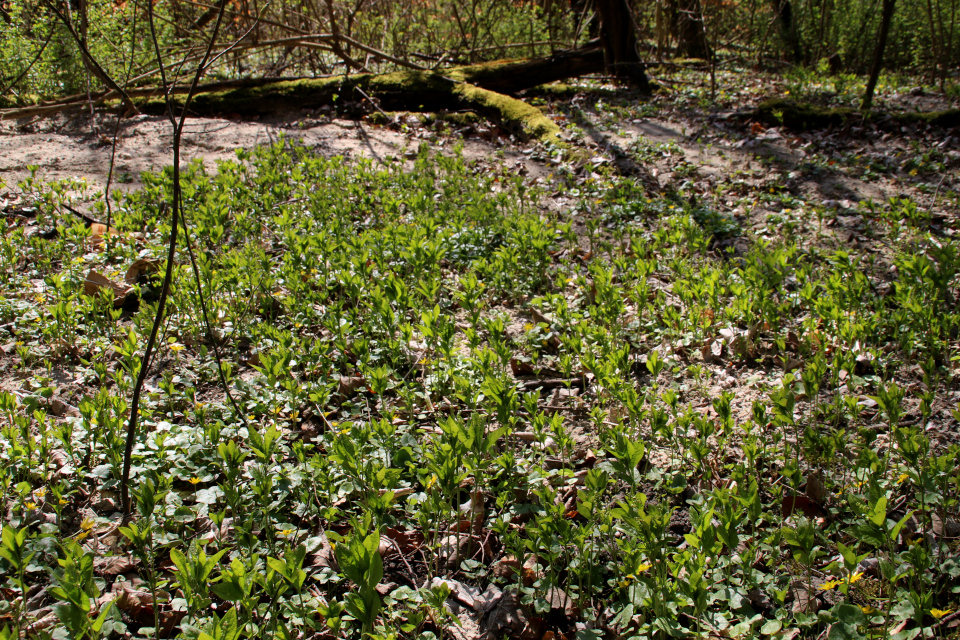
{"x": 432, "y": 376}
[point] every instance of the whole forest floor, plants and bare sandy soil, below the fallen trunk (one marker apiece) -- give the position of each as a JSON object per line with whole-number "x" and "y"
{"x": 771, "y": 314}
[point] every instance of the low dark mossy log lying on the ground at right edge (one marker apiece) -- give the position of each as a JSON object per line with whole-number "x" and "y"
{"x": 805, "y": 117}
